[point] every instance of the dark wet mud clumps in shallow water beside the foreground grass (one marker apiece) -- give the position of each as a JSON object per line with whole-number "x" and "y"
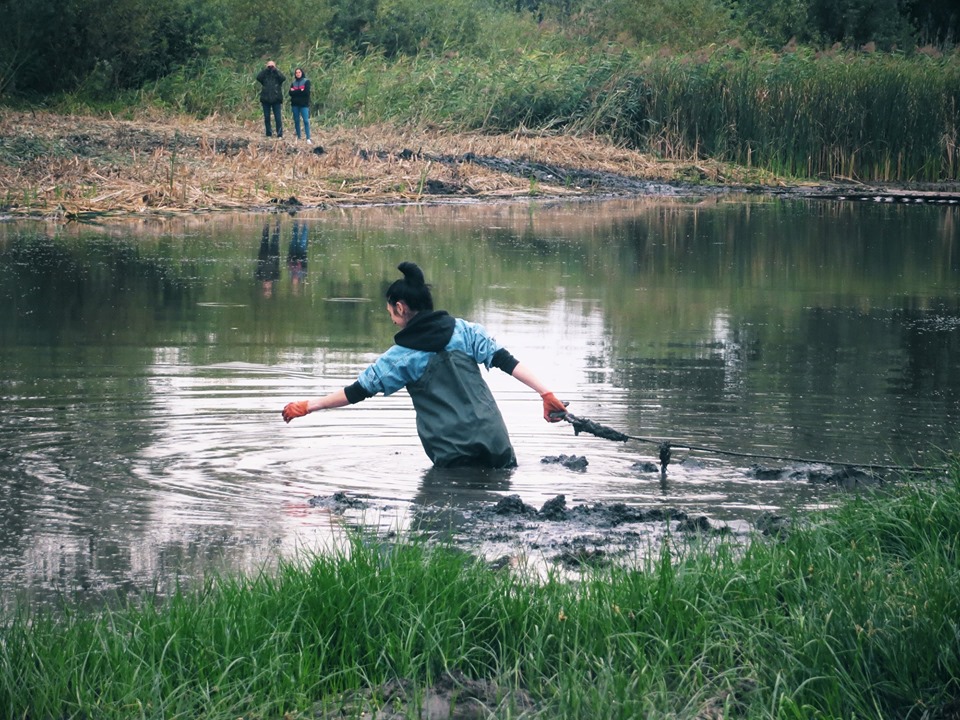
{"x": 577, "y": 537}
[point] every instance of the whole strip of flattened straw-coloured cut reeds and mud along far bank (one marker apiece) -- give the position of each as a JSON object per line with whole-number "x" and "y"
{"x": 69, "y": 167}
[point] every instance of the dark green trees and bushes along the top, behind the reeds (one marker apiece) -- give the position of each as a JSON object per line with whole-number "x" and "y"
{"x": 103, "y": 47}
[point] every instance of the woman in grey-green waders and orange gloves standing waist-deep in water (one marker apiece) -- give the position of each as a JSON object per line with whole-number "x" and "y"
{"x": 436, "y": 358}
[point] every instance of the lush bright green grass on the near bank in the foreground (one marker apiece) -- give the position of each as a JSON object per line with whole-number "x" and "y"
{"x": 854, "y": 615}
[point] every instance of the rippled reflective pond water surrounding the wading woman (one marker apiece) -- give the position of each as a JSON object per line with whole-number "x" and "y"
{"x": 143, "y": 366}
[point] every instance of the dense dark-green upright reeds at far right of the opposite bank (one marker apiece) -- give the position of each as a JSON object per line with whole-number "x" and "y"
{"x": 870, "y": 117}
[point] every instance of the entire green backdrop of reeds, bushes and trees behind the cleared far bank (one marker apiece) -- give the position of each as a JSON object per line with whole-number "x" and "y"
{"x": 861, "y": 89}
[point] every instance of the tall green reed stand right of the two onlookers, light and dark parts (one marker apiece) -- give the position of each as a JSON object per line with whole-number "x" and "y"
{"x": 861, "y": 116}
